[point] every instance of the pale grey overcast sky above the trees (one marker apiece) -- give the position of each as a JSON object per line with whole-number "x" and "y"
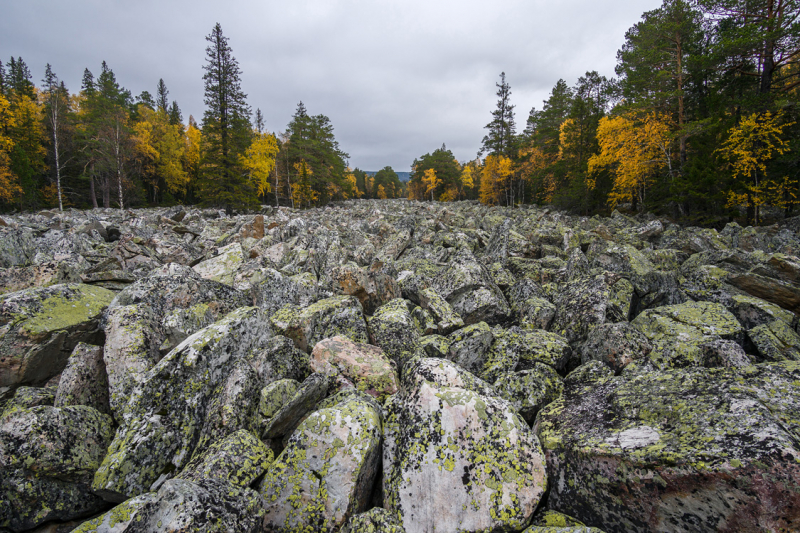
{"x": 396, "y": 78}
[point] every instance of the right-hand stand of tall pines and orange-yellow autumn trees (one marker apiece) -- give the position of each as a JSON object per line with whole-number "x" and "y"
{"x": 700, "y": 123}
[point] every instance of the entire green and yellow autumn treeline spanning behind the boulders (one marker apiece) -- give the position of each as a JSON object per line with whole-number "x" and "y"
{"x": 700, "y": 123}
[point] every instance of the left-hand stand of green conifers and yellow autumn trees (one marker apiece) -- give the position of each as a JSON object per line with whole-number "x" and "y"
{"x": 102, "y": 147}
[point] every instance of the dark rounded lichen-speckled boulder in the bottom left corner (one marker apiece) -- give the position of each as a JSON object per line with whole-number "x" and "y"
{"x": 48, "y": 456}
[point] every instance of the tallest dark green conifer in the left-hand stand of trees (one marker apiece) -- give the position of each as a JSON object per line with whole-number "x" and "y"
{"x": 226, "y": 129}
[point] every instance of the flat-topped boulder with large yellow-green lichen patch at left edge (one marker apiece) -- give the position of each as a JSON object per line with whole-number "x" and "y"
{"x": 40, "y": 327}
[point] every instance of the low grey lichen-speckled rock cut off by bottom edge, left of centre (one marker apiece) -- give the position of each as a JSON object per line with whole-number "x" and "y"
{"x": 181, "y": 505}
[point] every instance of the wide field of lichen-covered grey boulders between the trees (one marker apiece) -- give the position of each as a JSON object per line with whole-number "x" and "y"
{"x": 397, "y": 367}
